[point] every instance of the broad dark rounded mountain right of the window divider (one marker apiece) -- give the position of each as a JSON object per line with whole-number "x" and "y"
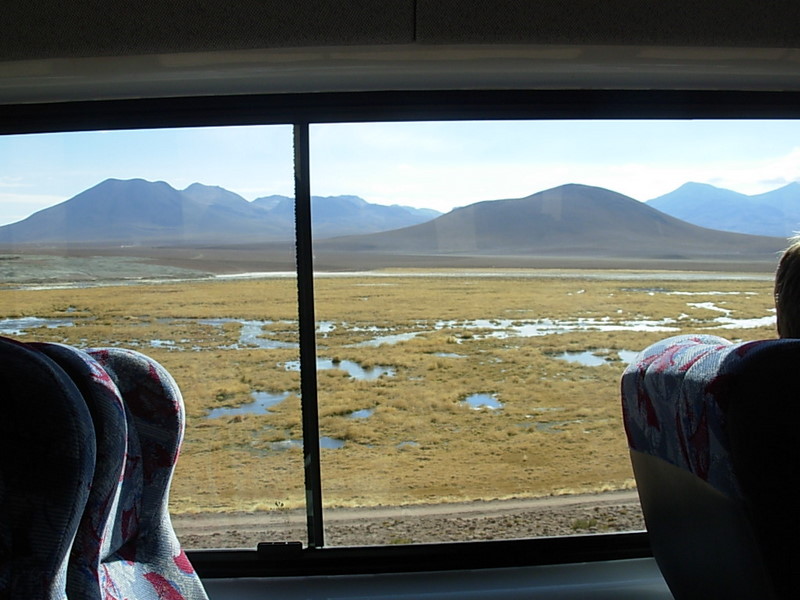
{"x": 570, "y": 220}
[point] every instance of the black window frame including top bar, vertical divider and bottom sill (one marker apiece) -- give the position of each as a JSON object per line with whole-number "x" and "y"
{"x": 303, "y": 110}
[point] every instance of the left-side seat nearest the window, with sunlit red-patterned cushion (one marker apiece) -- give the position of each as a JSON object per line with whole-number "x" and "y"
{"x": 153, "y": 565}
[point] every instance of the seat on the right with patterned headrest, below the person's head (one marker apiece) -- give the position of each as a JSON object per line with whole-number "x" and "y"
{"x": 711, "y": 432}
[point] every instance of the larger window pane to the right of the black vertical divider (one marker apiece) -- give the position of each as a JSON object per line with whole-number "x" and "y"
{"x": 469, "y": 365}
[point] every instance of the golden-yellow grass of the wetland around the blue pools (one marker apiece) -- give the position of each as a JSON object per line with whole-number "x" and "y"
{"x": 559, "y": 429}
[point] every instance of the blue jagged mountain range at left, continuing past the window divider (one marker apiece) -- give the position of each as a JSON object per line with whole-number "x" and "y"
{"x": 136, "y": 212}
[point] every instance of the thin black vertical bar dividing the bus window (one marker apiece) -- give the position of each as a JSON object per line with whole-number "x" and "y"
{"x": 307, "y": 333}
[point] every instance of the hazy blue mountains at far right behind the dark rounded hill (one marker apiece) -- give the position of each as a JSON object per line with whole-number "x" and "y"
{"x": 775, "y": 213}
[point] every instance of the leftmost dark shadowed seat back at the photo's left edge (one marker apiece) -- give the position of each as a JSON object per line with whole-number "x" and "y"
{"x": 47, "y": 459}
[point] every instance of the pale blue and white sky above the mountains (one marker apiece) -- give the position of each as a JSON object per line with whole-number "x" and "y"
{"x": 438, "y": 165}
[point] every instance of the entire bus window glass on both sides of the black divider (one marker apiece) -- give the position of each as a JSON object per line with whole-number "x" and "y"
{"x": 479, "y": 289}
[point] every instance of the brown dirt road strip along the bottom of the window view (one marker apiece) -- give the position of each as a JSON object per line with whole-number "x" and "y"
{"x": 497, "y": 519}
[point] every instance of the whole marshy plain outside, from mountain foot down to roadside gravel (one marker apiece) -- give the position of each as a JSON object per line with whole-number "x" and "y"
{"x": 459, "y": 402}
